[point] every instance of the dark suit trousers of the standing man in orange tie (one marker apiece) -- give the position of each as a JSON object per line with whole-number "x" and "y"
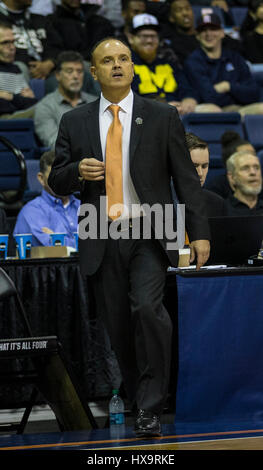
{"x": 129, "y": 289}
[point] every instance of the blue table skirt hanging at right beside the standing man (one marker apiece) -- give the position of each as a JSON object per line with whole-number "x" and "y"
{"x": 220, "y": 321}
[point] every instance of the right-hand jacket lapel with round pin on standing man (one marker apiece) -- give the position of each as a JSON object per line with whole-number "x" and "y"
{"x": 137, "y": 126}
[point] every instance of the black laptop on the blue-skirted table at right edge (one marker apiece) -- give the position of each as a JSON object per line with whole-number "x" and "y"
{"x": 235, "y": 239}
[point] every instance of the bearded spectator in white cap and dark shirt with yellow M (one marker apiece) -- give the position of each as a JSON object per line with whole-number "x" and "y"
{"x": 155, "y": 76}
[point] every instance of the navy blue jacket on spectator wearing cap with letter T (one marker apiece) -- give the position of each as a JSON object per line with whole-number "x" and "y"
{"x": 204, "y": 73}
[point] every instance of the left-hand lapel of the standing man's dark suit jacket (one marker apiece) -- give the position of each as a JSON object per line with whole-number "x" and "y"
{"x": 94, "y": 129}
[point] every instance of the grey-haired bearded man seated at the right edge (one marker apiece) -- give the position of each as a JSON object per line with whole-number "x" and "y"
{"x": 244, "y": 174}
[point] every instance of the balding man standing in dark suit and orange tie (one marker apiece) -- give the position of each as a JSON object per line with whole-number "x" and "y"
{"x": 128, "y": 274}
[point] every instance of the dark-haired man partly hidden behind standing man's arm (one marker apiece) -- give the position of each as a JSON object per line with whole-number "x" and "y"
{"x": 199, "y": 153}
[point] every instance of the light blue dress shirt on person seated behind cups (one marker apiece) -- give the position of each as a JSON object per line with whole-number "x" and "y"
{"x": 48, "y": 211}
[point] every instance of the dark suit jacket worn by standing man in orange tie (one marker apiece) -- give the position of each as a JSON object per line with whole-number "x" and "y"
{"x": 157, "y": 153}
